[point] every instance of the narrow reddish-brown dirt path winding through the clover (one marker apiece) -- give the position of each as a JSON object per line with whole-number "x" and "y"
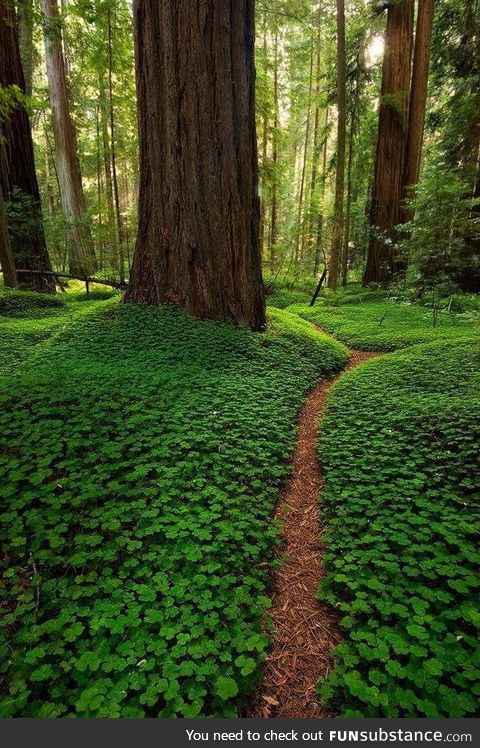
{"x": 305, "y": 630}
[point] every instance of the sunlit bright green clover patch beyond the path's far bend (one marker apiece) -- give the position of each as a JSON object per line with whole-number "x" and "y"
{"x": 386, "y": 325}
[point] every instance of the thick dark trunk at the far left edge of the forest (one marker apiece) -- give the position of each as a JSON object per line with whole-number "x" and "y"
{"x": 18, "y": 179}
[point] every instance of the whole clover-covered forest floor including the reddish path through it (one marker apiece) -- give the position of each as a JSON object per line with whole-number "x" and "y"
{"x": 140, "y": 472}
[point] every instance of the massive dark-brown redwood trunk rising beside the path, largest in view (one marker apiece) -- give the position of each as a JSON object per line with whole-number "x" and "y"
{"x": 198, "y": 237}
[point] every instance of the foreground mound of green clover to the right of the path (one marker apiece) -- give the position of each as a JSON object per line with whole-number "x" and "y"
{"x": 399, "y": 446}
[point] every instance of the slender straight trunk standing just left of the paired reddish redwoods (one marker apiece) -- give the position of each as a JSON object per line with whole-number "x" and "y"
{"x": 336, "y": 248}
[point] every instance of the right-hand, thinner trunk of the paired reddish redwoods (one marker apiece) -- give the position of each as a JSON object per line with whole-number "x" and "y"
{"x": 418, "y": 99}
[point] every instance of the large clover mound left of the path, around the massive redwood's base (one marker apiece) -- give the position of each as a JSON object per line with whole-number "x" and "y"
{"x": 141, "y": 456}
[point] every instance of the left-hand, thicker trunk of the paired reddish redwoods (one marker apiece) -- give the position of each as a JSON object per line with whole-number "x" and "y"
{"x": 387, "y": 192}
